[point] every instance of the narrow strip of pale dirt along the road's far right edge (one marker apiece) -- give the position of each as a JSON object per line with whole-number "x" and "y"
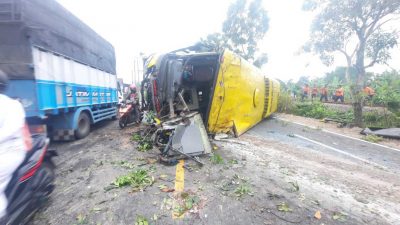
{"x": 333, "y": 127}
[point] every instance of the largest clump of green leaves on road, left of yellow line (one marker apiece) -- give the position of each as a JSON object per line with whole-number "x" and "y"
{"x": 139, "y": 180}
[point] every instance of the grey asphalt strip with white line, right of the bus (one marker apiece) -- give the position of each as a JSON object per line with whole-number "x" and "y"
{"x": 329, "y": 142}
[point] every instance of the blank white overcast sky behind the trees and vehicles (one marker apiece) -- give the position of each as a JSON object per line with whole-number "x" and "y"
{"x": 151, "y": 26}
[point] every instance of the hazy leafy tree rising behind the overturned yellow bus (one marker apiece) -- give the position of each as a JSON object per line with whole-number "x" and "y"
{"x": 246, "y": 24}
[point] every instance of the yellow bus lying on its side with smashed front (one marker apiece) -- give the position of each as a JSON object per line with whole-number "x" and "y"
{"x": 230, "y": 94}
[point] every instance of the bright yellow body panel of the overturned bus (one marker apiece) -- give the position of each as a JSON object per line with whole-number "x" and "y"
{"x": 240, "y": 94}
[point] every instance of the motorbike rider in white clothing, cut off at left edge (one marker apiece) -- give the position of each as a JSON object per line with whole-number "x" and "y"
{"x": 14, "y": 140}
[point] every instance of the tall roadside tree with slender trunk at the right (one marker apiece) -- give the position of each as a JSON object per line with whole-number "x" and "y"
{"x": 357, "y": 29}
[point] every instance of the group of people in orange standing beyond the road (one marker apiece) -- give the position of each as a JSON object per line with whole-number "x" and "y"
{"x": 337, "y": 94}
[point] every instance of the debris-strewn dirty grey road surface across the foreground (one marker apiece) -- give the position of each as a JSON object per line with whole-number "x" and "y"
{"x": 260, "y": 180}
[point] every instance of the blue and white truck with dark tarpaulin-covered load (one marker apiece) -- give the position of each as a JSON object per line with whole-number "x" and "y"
{"x": 61, "y": 70}
